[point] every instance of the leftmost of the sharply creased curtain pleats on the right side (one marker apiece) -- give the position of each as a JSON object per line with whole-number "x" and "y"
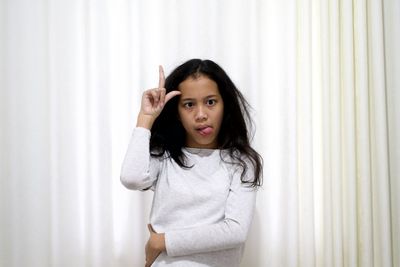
{"x": 304, "y": 137}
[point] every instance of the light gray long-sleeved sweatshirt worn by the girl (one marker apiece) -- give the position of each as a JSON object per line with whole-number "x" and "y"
{"x": 205, "y": 211}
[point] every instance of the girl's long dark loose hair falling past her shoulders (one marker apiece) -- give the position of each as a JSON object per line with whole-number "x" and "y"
{"x": 168, "y": 134}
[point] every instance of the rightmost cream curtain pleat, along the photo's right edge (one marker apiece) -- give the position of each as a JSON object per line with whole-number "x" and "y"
{"x": 391, "y": 32}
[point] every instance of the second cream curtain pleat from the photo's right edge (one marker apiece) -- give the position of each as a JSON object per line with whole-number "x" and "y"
{"x": 379, "y": 142}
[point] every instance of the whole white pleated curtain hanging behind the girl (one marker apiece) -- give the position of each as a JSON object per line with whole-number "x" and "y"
{"x": 322, "y": 77}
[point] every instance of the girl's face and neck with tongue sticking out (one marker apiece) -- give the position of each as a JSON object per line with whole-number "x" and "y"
{"x": 201, "y": 111}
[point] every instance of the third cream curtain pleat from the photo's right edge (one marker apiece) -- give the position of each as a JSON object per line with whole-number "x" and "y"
{"x": 364, "y": 184}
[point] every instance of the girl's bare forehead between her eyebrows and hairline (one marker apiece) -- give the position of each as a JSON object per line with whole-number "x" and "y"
{"x": 198, "y": 87}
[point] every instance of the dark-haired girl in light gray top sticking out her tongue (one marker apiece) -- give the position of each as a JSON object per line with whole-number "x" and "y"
{"x": 191, "y": 147}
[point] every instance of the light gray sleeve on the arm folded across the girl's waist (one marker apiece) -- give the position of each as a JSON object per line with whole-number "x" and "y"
{"x": 229, "y": 233}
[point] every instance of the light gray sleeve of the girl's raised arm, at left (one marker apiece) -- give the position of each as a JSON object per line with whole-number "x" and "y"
{"x": 139, "y": 171}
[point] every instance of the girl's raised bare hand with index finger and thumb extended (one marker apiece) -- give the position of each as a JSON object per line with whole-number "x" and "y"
{"x": 153, "y": 102}
